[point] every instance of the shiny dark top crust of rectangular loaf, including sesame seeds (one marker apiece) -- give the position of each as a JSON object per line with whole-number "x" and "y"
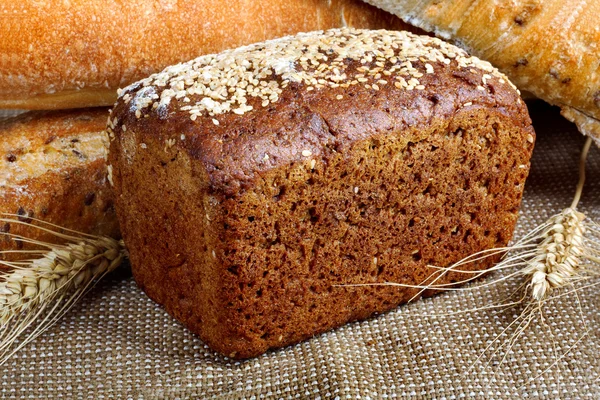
{"x": 296, "y": 98}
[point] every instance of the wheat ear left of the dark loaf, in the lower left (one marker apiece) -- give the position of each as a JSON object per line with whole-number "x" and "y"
{"x": 35, "y": 293}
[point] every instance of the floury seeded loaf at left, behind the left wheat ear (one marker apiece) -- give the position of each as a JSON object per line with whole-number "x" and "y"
{"x": 53, "y": 167}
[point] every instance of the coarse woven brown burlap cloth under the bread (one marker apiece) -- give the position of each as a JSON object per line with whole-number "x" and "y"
{"x": 118, "y": 344}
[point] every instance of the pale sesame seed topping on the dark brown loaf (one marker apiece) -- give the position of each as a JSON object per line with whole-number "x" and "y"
{"x": 222, "y": 83}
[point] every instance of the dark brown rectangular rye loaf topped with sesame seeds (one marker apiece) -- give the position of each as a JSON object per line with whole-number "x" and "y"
{"x": 251, "y": 183}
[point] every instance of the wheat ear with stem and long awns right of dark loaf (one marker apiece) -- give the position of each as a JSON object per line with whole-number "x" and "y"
{"x": 551, "y": 256}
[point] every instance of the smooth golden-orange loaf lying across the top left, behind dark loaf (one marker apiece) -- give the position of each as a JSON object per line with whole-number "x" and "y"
{"x": 70, "y": 54}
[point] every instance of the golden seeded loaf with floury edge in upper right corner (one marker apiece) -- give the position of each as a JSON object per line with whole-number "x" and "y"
{"x": 550, "y": 48}
